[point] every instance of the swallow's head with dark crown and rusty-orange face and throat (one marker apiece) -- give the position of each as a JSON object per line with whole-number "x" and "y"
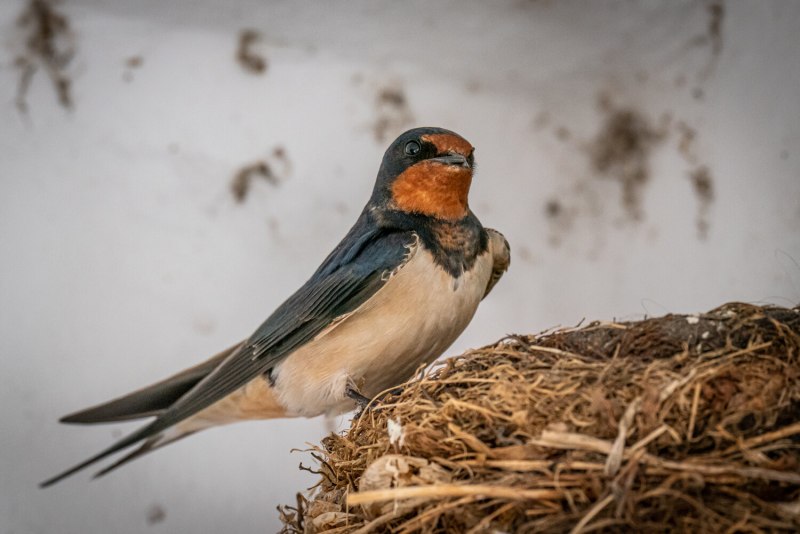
{"x": 426, "y": 171}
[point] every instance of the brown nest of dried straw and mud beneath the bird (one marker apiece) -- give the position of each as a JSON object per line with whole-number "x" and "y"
{"x": 679, "y": 423}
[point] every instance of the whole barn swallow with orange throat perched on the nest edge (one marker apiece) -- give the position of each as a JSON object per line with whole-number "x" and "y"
{"x": 395, "y": 293}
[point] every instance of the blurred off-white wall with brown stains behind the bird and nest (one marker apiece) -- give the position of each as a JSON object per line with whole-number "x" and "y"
{"x": 170, "y": 172}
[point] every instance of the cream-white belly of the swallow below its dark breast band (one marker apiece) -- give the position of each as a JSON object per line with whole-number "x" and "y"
{"x": 412, "y": 319}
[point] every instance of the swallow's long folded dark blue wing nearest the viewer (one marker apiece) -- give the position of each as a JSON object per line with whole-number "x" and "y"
{"x": 348, "y": 277}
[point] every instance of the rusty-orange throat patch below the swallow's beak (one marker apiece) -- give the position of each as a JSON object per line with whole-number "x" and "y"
{"x": 434, "y": 189}
